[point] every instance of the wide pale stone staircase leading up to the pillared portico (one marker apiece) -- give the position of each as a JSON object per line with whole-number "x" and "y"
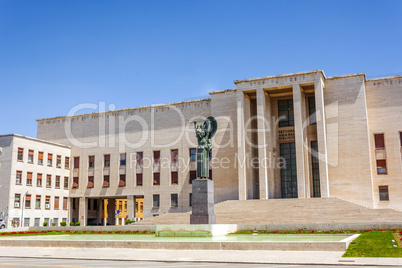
{"x": 287, "y": 211}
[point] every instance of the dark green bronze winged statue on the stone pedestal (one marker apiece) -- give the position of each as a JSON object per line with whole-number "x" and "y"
{"x": 204, "y": 134}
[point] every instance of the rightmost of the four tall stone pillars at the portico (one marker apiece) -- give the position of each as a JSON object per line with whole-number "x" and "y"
{"x": 321, "y": 137}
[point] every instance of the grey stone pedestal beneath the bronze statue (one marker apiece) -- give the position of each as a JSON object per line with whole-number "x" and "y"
{"x": 203, "y": 202}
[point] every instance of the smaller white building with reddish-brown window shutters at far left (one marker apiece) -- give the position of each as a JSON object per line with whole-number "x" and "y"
{"x": 34, "y": 179}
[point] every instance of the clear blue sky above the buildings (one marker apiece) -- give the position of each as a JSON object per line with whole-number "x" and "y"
{"x": 56, "y": 54}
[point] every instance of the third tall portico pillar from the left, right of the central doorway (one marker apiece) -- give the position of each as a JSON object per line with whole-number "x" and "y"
{"x": 298, "y": 99}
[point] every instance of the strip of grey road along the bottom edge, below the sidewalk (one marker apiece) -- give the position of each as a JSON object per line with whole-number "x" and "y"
{"x": 74, "y": 263}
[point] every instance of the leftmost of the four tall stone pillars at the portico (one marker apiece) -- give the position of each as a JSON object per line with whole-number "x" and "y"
{"x": 241, "y": 145}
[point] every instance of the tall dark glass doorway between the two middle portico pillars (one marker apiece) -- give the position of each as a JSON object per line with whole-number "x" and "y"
{"x": 289, "y": 170}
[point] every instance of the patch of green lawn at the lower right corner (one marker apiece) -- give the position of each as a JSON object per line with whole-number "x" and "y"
{"x": 374, "y": 244}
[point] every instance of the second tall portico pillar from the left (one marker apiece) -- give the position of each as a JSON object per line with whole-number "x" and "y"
{"x": 262, "y": 145}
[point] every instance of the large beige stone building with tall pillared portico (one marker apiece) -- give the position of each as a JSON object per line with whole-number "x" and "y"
{"x": 299, "y": 135}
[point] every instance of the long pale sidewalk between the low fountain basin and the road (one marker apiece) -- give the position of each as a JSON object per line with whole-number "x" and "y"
{"x": 226, "y": 256}
